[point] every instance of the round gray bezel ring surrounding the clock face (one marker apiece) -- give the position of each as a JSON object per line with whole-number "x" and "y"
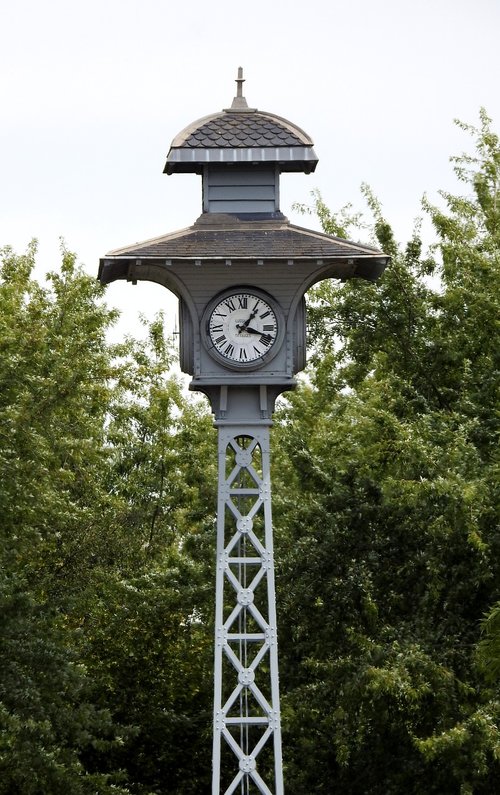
{"x": 233, "y": 364}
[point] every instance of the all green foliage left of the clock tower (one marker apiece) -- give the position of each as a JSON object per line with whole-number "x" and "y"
{"x": 98, "y": 498}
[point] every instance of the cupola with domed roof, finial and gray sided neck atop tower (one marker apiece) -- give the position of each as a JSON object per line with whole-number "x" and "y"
{"x": 240, "y": 153}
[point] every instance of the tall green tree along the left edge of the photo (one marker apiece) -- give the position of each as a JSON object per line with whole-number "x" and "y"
{"x": 53, "y": 375}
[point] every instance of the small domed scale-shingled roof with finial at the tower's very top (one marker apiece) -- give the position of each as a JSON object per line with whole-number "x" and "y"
{"x": 240, "y": 134}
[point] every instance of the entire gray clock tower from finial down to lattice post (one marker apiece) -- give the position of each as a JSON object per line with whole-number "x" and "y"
{"x": 240, "y": 273}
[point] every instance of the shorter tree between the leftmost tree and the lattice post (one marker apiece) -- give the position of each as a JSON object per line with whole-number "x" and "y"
{"x": 147, "y": 625}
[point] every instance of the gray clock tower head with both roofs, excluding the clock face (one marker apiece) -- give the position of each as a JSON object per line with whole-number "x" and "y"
{"x": 240, "y": 242}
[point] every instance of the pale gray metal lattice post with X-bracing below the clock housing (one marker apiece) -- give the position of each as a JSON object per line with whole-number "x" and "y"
{"x": 246, "y": 687}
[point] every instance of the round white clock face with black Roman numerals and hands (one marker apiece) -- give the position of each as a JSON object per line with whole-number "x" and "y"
{"x": 243, "y": 328}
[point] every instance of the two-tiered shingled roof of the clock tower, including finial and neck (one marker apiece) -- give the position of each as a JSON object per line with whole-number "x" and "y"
{"x": 234, "y": 228}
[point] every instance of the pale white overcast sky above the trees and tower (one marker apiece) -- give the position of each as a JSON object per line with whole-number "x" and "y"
{"x": 92, "y": 94}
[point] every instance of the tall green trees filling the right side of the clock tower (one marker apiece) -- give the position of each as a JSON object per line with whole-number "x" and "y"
{"x": 388, "y": 548}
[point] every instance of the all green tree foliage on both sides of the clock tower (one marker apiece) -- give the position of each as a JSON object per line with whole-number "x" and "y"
{"x": 386, "y": 512}
